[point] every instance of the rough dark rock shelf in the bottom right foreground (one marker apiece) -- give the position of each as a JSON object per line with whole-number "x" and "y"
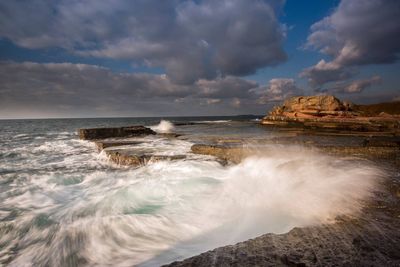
{"x": 359, "y": 242}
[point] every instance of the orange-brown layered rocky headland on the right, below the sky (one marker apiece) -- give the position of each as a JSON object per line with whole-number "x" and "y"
{"x": 329, "y": 113}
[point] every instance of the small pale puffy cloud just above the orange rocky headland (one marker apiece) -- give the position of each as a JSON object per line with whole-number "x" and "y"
{"x": 279, "y": 89}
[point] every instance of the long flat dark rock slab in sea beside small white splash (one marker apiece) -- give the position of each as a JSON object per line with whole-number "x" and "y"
{"x": 111, "y": 132}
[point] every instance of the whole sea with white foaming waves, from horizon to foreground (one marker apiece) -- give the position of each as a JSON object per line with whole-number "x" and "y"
{"x": 62, "y": 203}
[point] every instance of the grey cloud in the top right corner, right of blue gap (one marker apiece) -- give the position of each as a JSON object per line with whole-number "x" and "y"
{"x": 357, "y": 33}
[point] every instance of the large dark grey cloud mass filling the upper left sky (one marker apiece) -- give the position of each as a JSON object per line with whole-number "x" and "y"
{"x": 192, "y": 40}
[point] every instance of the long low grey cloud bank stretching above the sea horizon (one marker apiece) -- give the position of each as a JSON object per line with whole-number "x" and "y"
{"x": 87, "y": 89}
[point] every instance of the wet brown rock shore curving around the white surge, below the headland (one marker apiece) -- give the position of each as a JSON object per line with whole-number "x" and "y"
{"x": 371, "y": 237}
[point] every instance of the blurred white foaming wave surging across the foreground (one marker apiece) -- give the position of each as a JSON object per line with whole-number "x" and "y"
{"x": 172, "y": 210}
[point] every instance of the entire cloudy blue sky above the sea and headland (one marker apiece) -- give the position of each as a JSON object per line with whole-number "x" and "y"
{"x": 111, "y": 58}
